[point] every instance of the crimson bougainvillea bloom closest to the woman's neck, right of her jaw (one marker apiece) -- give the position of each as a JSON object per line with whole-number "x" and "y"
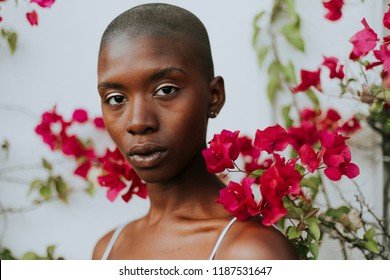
{"x": 224, "y": 149}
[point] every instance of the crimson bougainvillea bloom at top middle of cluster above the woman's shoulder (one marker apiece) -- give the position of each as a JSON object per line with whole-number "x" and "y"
{"x": 273, "y": 138}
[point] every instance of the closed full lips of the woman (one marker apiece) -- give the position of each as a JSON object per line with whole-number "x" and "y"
{"x": 146, "y": 155}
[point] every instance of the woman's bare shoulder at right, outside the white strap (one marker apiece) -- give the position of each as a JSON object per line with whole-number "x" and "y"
{"x": 252, "y": 240}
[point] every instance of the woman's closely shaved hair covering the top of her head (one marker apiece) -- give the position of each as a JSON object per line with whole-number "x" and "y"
{"x": 163, "y": 21}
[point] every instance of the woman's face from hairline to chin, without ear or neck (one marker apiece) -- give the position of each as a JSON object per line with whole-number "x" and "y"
{"x": 155, "y": 103}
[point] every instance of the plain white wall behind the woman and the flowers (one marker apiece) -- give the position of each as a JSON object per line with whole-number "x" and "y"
{"x": 55, "y": 63}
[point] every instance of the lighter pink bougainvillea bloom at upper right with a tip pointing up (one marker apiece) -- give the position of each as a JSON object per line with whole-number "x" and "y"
{"x": 363, "y": 41}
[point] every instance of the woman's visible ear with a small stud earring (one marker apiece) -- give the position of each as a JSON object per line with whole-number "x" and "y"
{"x": 217, "y": 96}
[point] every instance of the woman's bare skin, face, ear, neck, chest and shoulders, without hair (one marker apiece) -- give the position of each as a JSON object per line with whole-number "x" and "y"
{"x": 155, "y": 103}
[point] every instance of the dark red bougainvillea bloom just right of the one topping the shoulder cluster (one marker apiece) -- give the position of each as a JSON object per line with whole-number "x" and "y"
{"x": 307, "y": 133}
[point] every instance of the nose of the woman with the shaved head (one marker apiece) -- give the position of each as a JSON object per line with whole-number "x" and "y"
{"x": 141, "y": 117}
